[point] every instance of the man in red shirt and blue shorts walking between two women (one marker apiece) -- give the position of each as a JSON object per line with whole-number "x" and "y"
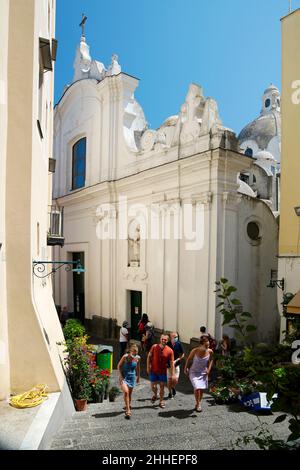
{"x": 160, "y": 357}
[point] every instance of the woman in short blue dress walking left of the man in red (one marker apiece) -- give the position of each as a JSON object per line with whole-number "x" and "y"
{"x": 129, "y": 375}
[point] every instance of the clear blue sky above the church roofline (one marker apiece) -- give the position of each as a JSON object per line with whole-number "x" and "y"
{"x": 232, "y": 48}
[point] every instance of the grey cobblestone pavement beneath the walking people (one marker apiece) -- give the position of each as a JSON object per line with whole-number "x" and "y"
{"x": 177, "y": 427}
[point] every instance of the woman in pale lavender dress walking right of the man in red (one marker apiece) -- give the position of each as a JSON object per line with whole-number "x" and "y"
{"x": 201, "y": 359}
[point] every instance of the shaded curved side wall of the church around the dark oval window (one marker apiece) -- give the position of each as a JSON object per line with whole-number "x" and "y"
{"x": 256, "y": 259}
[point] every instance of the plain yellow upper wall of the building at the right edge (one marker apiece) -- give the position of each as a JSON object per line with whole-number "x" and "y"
{"x": 289, "y": 228}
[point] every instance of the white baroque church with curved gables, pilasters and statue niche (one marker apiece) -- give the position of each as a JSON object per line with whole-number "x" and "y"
{"x": 156, "y": 216}
